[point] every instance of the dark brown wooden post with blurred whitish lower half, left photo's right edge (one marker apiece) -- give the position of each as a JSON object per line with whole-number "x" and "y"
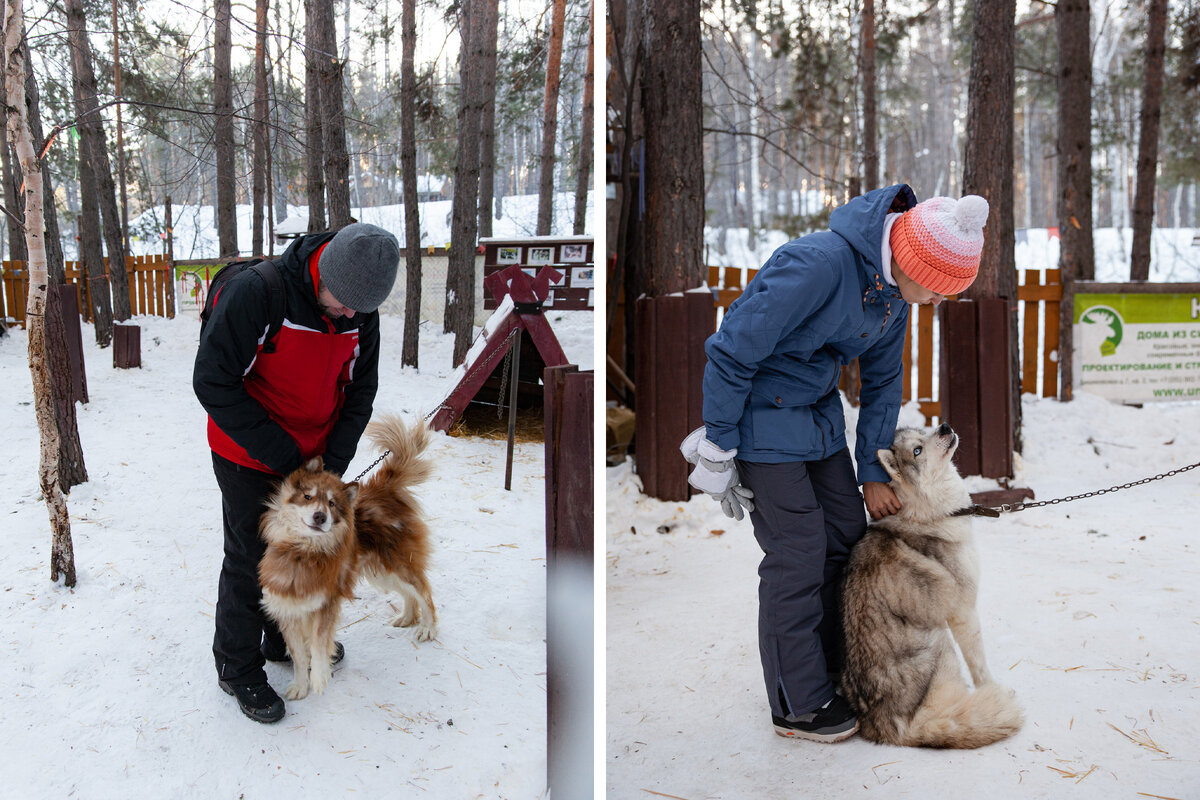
{"x": 569, "y": 554}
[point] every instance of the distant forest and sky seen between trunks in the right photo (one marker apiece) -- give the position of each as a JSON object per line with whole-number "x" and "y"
{"x": 784, "y": 110}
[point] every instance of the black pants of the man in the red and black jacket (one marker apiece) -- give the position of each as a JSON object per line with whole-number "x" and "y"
{"x": 242, "y": 625}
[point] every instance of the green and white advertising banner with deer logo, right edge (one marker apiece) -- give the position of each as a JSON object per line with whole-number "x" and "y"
{"x": 1138, "y": 348}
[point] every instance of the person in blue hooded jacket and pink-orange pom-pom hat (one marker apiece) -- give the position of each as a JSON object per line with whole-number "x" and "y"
{"x": 772, "y": 404}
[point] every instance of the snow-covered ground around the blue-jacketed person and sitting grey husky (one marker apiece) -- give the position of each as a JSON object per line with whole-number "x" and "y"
{"x": 1090, "y": 611}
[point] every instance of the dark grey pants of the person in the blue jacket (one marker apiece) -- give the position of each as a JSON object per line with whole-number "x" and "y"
{"x": 807, "y": 518}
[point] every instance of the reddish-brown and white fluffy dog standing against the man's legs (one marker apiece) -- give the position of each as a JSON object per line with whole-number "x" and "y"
{"x": 322, "y": 536}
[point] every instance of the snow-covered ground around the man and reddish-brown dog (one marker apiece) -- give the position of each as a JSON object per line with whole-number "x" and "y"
{"x": 110, "y": 689}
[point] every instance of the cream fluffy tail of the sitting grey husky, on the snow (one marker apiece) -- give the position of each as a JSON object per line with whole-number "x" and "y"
{"x": 962, "y": 719}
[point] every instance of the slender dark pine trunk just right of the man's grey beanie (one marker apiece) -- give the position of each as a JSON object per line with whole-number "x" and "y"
{"x": 410, "y": 353}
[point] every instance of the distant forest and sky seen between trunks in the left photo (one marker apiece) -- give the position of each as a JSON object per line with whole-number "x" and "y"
{"x": 167, "y": 93}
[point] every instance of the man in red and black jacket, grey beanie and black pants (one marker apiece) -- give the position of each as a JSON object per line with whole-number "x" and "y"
{"x": 273, "y": 408}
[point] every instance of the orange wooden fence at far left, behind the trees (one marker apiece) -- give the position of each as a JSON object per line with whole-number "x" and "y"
{"x": 151, "y": 287}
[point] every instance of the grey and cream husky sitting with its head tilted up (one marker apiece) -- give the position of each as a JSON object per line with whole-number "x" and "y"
{"x": 913, "y": 582}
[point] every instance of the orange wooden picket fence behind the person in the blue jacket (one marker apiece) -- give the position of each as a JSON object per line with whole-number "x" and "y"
{"x": 1039, "y": 296}
